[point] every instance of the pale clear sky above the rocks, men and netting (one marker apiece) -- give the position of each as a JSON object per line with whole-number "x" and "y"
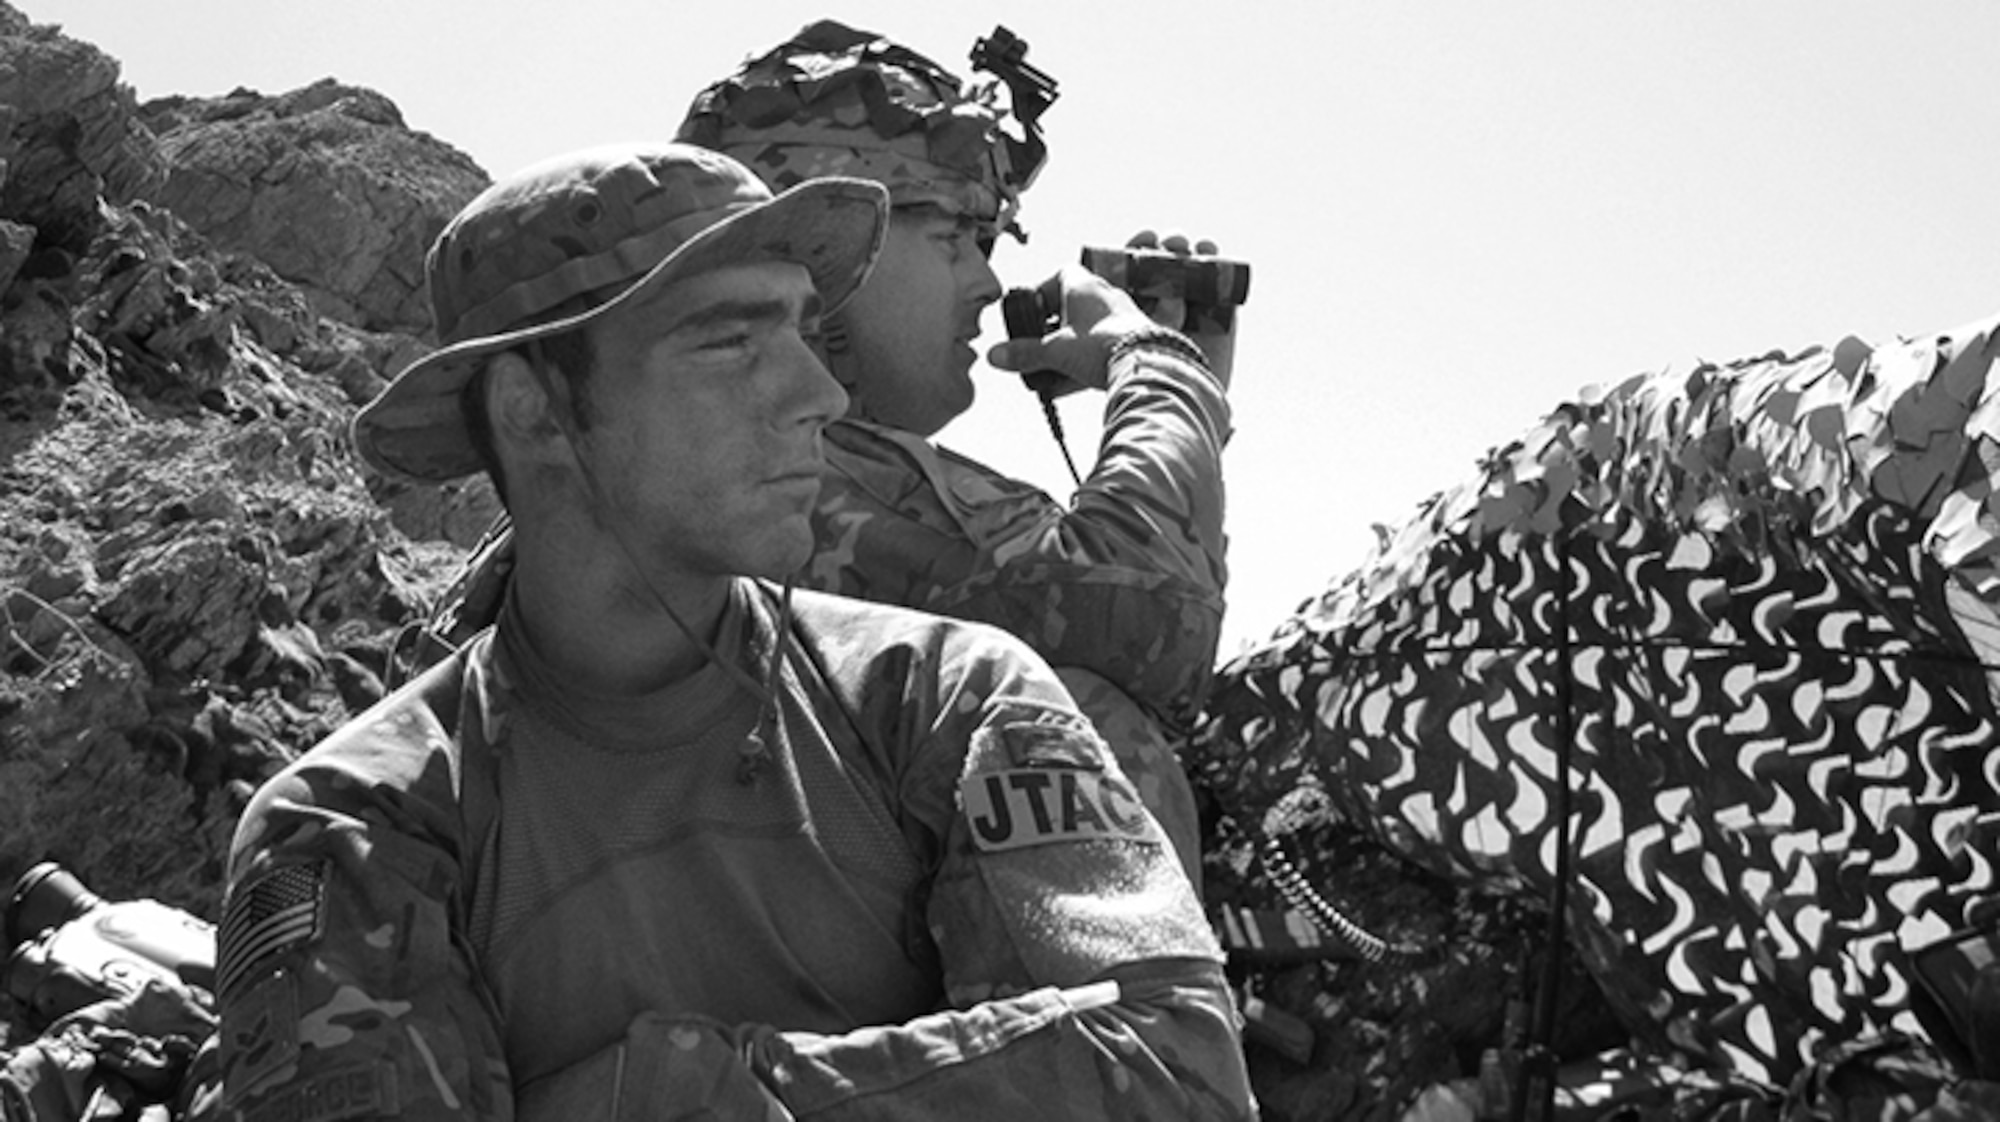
{"x": 1457, "y": 213}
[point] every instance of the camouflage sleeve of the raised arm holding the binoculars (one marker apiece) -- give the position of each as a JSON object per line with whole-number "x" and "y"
{"x": 1127, "y": 583}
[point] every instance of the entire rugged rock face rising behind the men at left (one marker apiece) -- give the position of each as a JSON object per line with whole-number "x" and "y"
{"x": 197, "y": 581}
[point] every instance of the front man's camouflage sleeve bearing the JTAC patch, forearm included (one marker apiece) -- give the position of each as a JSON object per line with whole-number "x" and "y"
{"x": 1081, "y": 975}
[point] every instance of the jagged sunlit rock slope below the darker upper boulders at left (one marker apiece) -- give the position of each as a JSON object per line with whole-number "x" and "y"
{"x": 185, "y": 545}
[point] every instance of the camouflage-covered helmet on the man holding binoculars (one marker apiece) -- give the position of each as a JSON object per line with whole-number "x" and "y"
{"x": 835, "y": 101}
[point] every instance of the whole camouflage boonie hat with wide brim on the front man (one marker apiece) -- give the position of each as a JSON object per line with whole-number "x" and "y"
{"x": 571, "y": 239}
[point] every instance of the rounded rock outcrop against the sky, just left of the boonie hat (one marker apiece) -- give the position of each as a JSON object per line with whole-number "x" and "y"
{"x": 323, "y": 185}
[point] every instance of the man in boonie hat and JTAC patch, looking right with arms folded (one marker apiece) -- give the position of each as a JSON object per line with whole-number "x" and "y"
{"x": 669, "y": 839}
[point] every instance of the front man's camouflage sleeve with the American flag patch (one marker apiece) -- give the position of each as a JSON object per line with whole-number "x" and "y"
{"x": 345, "y": 985}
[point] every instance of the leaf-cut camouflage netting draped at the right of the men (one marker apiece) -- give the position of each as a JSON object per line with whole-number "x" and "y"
{"x": 1759, "y": 599}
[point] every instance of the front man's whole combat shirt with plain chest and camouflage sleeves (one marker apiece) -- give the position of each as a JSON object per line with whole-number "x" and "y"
{"x": 493, "y": 899}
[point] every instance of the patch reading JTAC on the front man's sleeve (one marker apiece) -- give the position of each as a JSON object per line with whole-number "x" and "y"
{"x": 1037, "y": 807}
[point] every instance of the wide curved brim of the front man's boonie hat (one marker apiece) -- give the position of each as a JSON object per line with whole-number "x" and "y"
{"x": 835, "y": 227}
